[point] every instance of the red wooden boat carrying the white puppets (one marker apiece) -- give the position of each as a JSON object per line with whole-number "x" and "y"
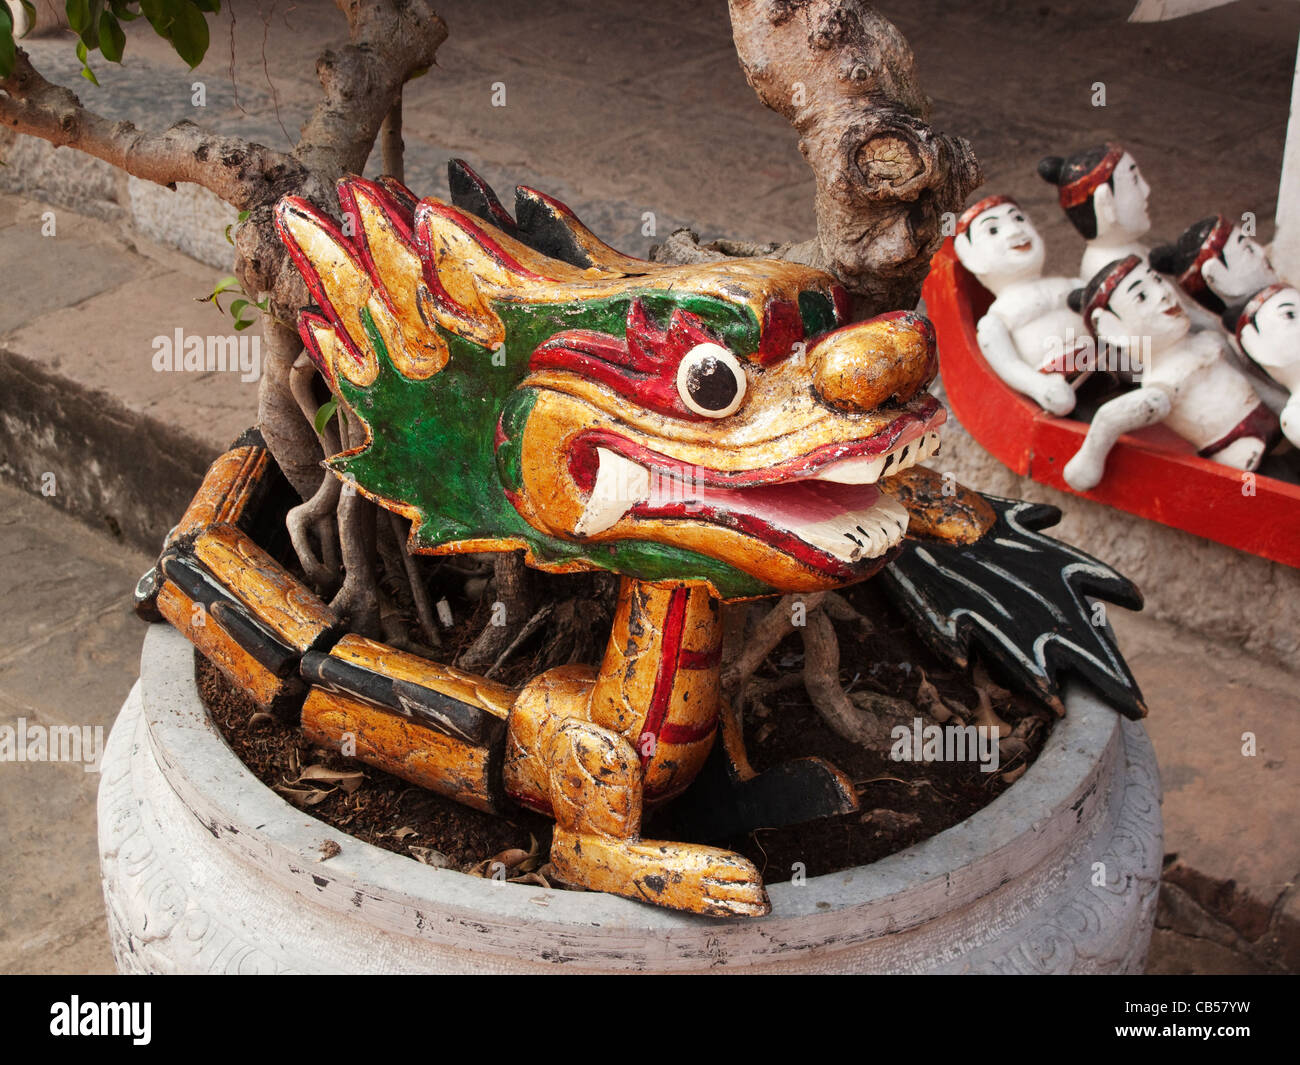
{"x": 1152, "y": 473}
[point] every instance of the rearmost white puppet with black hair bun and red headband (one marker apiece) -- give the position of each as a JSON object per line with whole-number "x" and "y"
{"x": 1104, "y": 196}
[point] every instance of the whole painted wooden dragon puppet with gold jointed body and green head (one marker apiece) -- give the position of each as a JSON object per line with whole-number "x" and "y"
{"x": 709, "y": 432}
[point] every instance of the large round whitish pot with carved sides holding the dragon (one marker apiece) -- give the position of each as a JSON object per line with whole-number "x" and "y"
{"x": 207, "y": 871}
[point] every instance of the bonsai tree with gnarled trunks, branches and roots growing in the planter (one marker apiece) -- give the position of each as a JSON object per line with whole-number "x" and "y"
{"x": 839, "y": 72}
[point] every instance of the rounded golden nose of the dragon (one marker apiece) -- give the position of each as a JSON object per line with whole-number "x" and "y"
{"x": 869, "y": 365}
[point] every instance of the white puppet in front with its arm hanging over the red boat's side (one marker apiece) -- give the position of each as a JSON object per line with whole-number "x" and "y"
{"x": 1186, "y": 379}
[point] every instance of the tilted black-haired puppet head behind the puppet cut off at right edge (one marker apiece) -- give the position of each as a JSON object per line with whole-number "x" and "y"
{"x": 1216, "y": 265}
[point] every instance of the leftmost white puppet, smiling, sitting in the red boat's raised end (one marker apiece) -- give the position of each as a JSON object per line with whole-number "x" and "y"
{"x": 1030, "y": 336}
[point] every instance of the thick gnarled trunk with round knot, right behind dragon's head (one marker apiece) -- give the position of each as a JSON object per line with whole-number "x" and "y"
{"x": 846, "y": 79}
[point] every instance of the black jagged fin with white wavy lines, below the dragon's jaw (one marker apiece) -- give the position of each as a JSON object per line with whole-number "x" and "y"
{"x": 1024, "y": 600}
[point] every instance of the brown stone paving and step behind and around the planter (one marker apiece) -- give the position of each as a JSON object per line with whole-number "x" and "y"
{"x": 627, "y": 112}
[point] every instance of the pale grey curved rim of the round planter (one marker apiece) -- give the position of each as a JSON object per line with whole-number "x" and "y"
{"x": 1033, "y": 825}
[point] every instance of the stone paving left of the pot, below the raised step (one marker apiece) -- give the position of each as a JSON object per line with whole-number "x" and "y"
{"x": 72, "y": 648}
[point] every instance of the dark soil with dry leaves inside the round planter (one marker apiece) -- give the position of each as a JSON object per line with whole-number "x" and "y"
{"x": 902, "y": 802}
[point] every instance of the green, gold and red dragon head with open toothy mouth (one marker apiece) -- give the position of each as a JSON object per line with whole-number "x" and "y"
{"x": 525, "y": 386}
